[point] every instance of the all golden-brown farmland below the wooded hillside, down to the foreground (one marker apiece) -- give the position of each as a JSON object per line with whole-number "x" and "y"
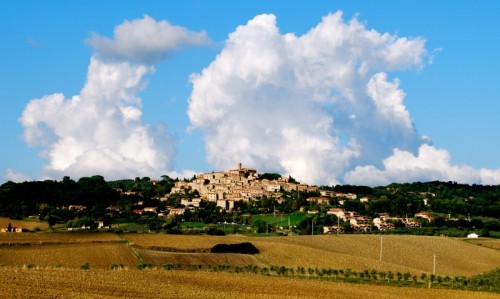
{"x": 44, "y": 261}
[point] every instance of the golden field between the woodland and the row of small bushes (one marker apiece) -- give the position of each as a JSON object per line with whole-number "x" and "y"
{"x": 414, "y": 254}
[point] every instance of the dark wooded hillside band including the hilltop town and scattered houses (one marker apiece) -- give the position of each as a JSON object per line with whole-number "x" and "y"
{"x": 245, "y": 199}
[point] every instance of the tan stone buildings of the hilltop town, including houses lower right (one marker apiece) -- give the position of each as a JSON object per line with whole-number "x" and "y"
{"x": 244, "y": 184}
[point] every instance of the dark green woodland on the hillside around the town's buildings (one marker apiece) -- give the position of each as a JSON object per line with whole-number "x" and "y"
{"x": 456, "y": 206}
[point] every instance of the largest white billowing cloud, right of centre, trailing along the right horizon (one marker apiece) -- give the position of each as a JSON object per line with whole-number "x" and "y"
{"x": 320, "y": 106}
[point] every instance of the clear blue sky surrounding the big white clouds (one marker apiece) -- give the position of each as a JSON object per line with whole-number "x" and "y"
{"x": 451, "y": 97}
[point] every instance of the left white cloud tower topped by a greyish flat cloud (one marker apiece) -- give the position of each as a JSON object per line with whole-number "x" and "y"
{"x": 100, "y": 131}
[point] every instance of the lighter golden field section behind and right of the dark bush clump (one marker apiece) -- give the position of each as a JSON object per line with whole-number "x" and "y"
{"x": 358, "y": 252}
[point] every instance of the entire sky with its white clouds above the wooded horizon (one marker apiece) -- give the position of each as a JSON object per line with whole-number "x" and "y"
{"x": 339, "y": 92}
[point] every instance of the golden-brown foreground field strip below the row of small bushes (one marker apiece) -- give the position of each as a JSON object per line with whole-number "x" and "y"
{"x": 52, "y": 283}
